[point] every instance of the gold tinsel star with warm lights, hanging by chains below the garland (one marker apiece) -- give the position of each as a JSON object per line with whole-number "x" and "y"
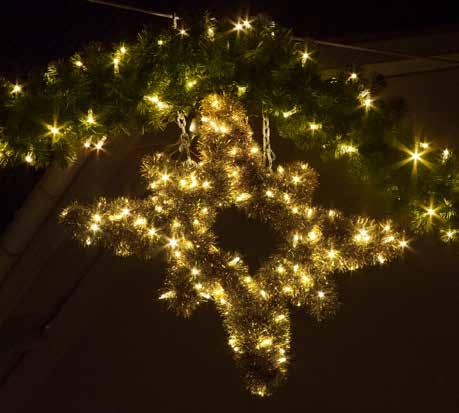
{"x": 178, "y": 217}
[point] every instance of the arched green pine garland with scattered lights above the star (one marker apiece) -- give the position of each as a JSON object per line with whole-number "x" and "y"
{"x": 142, "y": 86}
